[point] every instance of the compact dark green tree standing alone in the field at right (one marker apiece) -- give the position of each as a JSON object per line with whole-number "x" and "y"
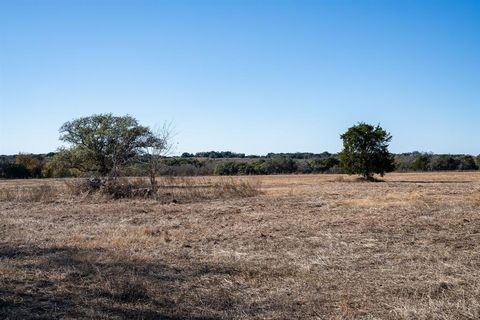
{"x": 365, "y": 151}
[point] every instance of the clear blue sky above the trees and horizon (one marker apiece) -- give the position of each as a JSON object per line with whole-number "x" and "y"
{"x": 247, "y": 76}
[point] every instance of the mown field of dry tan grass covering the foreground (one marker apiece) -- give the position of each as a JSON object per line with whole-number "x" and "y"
{"x": 303, "y": 247}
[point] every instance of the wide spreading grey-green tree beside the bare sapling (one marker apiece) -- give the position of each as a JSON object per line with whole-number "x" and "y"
{"x": 105, "y": 143}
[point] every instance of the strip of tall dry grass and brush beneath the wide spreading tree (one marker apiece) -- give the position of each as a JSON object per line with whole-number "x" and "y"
{"x": 170, "y": 189}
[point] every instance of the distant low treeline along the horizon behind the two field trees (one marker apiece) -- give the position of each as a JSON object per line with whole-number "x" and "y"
{"x": 231, "y": 163}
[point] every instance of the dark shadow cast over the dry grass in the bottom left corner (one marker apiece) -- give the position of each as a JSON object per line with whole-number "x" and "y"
{"x": 64, "y": 282}
